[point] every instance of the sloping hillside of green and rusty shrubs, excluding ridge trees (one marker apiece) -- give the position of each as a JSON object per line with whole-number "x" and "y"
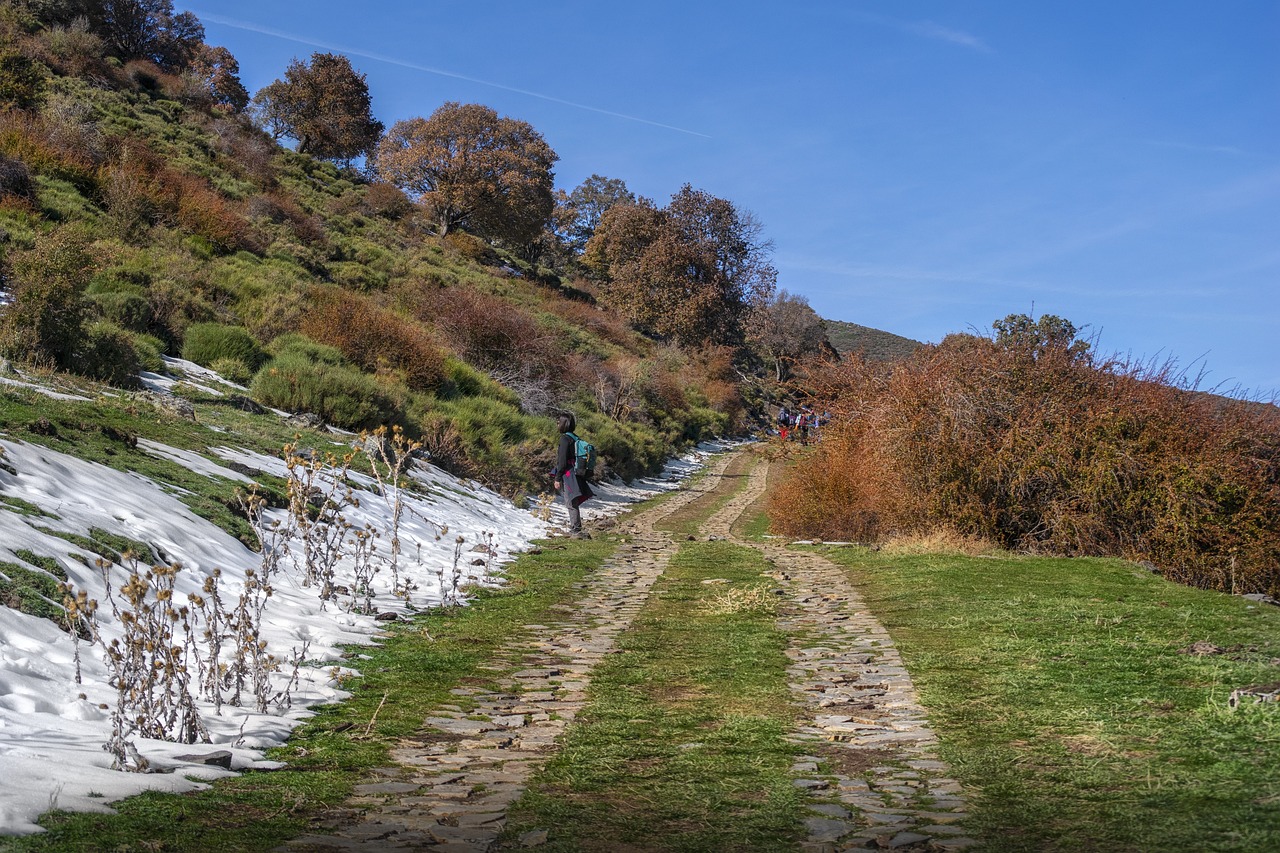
{"x": 139, "y": 221}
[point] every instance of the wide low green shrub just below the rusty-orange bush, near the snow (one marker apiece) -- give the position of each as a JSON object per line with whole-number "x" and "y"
{"x": 341, "y": 395}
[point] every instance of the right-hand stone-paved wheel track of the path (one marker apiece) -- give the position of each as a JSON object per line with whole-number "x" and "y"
{"x": 860, "y": 713}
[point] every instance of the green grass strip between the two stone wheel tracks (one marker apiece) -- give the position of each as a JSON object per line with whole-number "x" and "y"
{"x": 682, "y": 746}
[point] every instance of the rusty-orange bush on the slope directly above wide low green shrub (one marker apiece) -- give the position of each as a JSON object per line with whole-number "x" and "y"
{"x": 374, "y": 337}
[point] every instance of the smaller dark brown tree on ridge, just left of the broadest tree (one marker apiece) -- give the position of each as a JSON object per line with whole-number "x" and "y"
{"x": 324, "y": 106}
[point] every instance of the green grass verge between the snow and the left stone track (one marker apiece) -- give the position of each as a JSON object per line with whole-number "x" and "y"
{"x": 414, "y": 668}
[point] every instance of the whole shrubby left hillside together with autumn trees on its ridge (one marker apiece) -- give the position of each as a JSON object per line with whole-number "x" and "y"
{"x": 428, "y": 277}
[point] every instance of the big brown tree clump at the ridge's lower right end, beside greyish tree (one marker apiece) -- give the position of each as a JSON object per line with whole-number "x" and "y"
{"x": 691, "y": 272}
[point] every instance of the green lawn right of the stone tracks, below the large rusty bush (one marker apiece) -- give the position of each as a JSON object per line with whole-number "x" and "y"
{"x": 1066, "y": 706}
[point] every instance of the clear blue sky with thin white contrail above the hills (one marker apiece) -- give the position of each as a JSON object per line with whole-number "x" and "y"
{"x": 922, "y": 168}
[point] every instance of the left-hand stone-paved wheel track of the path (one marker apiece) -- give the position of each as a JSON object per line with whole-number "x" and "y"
{"x": 452, "y": 783}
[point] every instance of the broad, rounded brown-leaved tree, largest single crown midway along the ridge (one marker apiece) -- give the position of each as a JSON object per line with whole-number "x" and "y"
{"x": 473, "y": 171}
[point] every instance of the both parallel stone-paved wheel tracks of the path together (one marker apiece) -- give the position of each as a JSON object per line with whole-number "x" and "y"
{"x": 884, "y": 787}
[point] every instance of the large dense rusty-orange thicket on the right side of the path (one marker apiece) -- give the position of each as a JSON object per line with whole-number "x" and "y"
{"x": 1058, "y": 454}
